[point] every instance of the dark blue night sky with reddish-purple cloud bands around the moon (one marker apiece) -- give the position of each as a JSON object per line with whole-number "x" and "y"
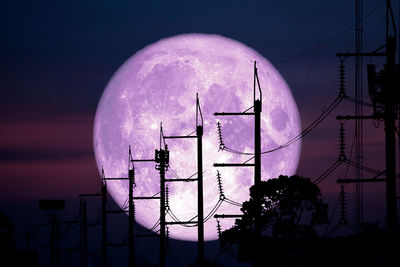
{"x": 58, "y": 56}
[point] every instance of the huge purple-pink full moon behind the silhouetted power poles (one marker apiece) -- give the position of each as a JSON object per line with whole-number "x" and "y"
{"x": 159, "y": 84}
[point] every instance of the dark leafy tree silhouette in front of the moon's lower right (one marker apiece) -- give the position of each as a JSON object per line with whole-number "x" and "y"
{"x": 284, "y": 207}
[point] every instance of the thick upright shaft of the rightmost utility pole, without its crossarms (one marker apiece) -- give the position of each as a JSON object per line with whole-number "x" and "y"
{"x": 389, "y": 118}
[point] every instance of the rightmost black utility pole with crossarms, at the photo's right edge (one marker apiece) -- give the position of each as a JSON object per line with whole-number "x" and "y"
{"x": 382, "y": 88}
